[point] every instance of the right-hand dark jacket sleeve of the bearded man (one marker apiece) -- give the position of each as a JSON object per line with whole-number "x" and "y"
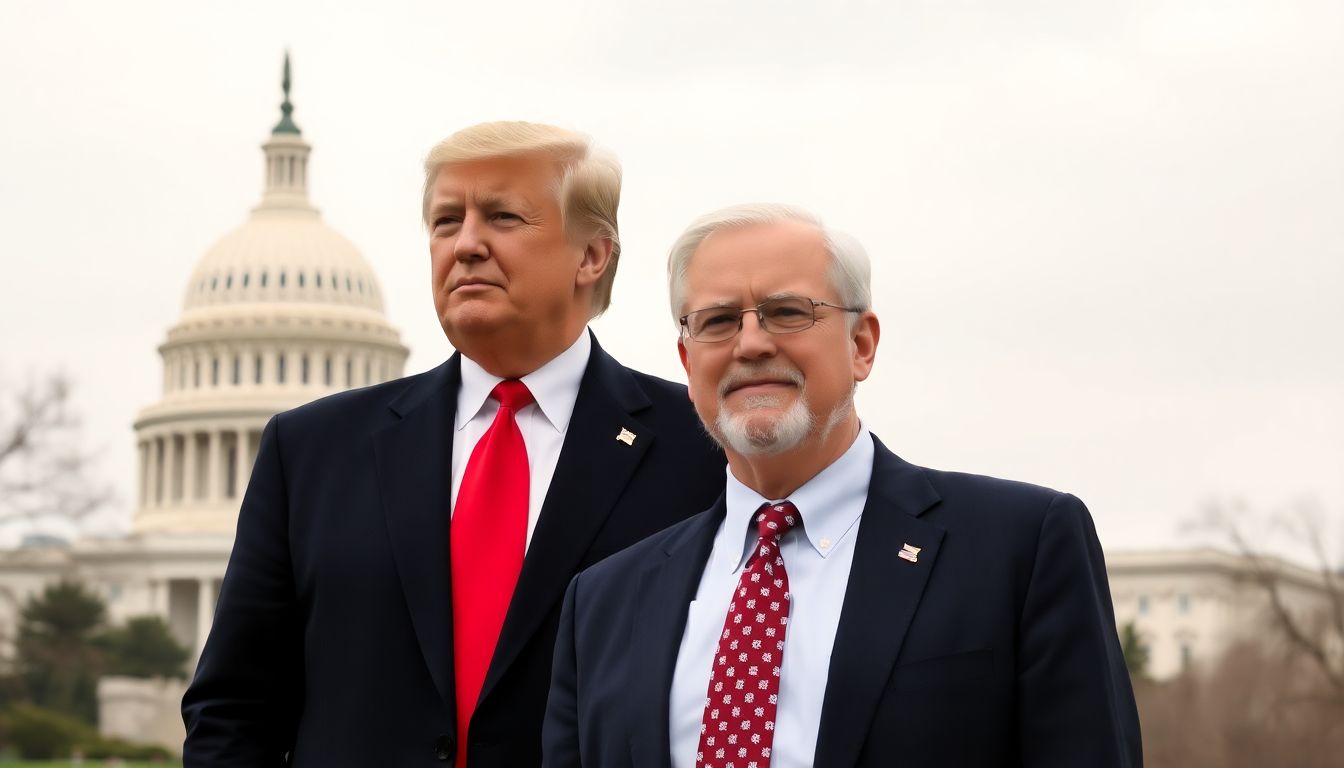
{"x": 1076, "y": 703}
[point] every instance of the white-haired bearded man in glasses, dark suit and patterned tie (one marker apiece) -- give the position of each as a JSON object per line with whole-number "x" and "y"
{"x": 837, "y": 606}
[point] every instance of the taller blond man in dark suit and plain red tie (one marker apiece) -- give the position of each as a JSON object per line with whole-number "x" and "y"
{"x": 403, "y": 551}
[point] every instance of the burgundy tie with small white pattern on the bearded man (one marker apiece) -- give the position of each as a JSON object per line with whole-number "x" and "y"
{"x": 739, "y": 726}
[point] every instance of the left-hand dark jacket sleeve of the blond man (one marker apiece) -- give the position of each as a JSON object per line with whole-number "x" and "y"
{"x": 243, "y": 705}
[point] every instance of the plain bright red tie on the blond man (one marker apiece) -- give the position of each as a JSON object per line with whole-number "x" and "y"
{"x": 489, "y": 540}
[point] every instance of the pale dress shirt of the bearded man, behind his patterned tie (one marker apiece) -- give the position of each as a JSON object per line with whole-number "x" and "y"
{"x": 818, "y": 560}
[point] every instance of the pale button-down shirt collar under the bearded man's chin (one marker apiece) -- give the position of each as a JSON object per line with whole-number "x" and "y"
{"x": 830, "y": 504}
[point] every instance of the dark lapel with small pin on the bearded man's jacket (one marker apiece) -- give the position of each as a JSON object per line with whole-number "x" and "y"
{"x": 881, "y": 599}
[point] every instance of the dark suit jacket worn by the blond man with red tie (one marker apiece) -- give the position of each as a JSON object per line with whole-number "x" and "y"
{"x": 333, "y": 638}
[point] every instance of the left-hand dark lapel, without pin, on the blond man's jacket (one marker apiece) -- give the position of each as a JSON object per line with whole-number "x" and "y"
{"x": 415, "y": 459}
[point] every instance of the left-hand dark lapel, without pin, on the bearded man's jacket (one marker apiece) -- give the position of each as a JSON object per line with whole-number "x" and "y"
{"x": 665, "y": 592}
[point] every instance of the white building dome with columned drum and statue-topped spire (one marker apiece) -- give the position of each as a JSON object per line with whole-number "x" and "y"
{"x": 280, "y": 311}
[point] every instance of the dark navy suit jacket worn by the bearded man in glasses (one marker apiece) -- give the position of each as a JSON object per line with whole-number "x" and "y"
{"x": 998, "y": 648}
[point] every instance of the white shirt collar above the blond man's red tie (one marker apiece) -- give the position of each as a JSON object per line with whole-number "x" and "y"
{"x": 554, "y": 387}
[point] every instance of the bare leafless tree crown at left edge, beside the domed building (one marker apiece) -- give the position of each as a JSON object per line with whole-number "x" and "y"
{"x": 45, "y": 470}
